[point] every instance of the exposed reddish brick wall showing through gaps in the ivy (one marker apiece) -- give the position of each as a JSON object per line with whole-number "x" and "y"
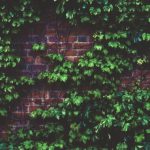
{"x": 59, "y": 37}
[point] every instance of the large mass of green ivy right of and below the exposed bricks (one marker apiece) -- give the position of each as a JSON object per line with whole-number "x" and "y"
{"x": 97, "y": 112}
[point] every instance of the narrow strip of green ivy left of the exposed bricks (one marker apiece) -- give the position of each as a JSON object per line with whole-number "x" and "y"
{"x": 13, "y": 15}
